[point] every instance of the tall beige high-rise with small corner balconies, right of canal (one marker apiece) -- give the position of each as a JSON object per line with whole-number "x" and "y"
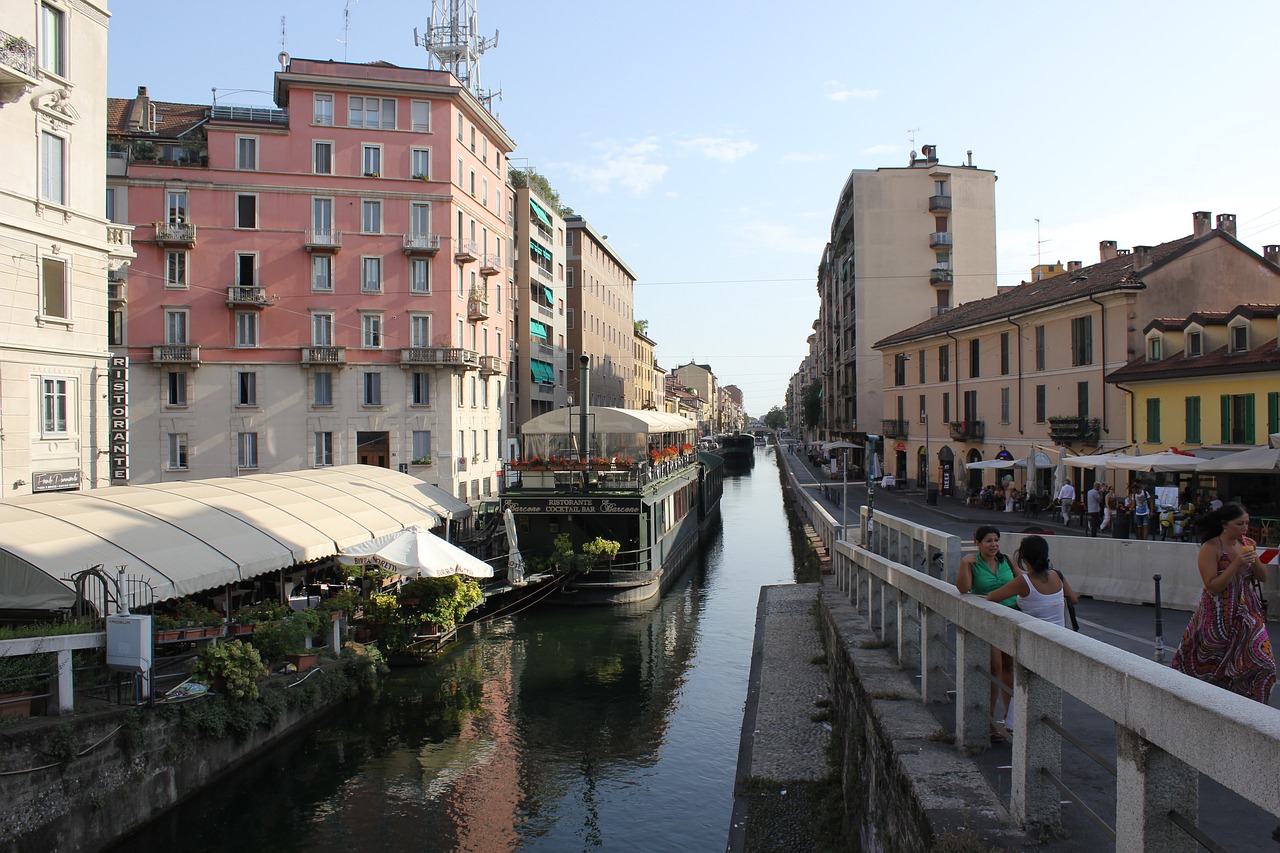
{"x": 925, "y": 241}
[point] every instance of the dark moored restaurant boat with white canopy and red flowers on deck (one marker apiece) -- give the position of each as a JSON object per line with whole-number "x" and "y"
{"x": 628, "y": 476}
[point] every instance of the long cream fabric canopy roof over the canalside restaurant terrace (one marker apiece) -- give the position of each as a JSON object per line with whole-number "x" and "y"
{"x": 186, "y": 537}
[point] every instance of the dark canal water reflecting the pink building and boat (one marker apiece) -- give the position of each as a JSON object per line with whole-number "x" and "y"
{"x": 556, "y": 729}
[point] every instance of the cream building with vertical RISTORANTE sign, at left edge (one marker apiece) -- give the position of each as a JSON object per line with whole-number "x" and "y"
{"x": 62, "y": 398}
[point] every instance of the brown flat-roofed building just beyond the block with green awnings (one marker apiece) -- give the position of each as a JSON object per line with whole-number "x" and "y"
{"x": 601, "y": 322}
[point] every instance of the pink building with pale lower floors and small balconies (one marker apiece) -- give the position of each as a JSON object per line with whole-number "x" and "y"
{"x": 319, "y": 284}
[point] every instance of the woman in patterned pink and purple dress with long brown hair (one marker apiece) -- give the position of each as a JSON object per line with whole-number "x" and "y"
{"x": 1227, "y": 642}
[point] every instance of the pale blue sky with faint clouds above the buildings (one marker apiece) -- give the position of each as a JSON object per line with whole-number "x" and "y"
{"x": 710, "y": 140}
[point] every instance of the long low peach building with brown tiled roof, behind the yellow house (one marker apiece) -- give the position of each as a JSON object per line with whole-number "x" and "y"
{"x": 1031, "y": 366}
